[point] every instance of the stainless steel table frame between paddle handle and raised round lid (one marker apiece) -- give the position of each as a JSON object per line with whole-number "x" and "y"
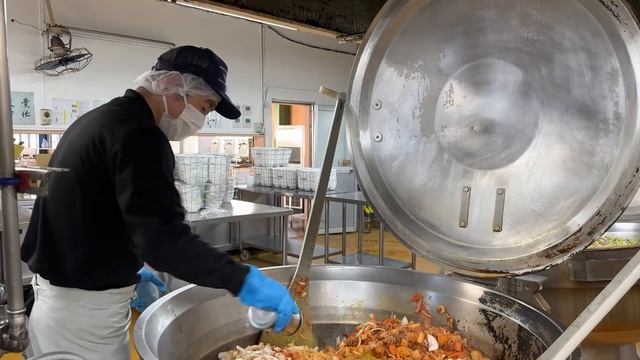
{"x": 359, "y": 258}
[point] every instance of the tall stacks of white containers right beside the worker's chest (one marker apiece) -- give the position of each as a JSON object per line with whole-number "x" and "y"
{"x": 204, "y": 181}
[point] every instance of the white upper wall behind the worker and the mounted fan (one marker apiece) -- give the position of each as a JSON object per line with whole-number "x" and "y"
{"x": 291, "y": 71}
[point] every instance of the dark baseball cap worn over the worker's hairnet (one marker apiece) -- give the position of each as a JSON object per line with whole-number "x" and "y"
{"x": 205, "y": 64}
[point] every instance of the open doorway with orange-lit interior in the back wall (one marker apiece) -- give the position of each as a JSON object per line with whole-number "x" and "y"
{"x": 292, "y": 128}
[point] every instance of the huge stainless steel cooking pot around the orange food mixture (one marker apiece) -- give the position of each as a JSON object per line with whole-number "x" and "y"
{"x": 196, "y": 322}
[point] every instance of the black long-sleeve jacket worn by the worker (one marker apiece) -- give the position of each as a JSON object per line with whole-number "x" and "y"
{"x": 118, "y": 207}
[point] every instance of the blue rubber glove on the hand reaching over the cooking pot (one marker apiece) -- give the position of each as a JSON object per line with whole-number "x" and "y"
{"x": 265, "y": 293}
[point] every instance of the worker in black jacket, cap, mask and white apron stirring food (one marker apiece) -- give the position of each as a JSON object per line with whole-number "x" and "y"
{"x": 118, "y": 208}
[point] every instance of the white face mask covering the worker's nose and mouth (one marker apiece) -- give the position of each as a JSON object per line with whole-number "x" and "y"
{"x": 188, "y": 123}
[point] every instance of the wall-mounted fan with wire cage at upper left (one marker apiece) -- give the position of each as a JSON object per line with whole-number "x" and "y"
{"x": 63, "y": 59}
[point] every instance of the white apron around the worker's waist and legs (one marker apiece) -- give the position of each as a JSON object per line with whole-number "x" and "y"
{"x": 93, "y": 324}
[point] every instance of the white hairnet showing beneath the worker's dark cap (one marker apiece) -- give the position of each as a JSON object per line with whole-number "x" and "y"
{"x": 173, "y": 82}
